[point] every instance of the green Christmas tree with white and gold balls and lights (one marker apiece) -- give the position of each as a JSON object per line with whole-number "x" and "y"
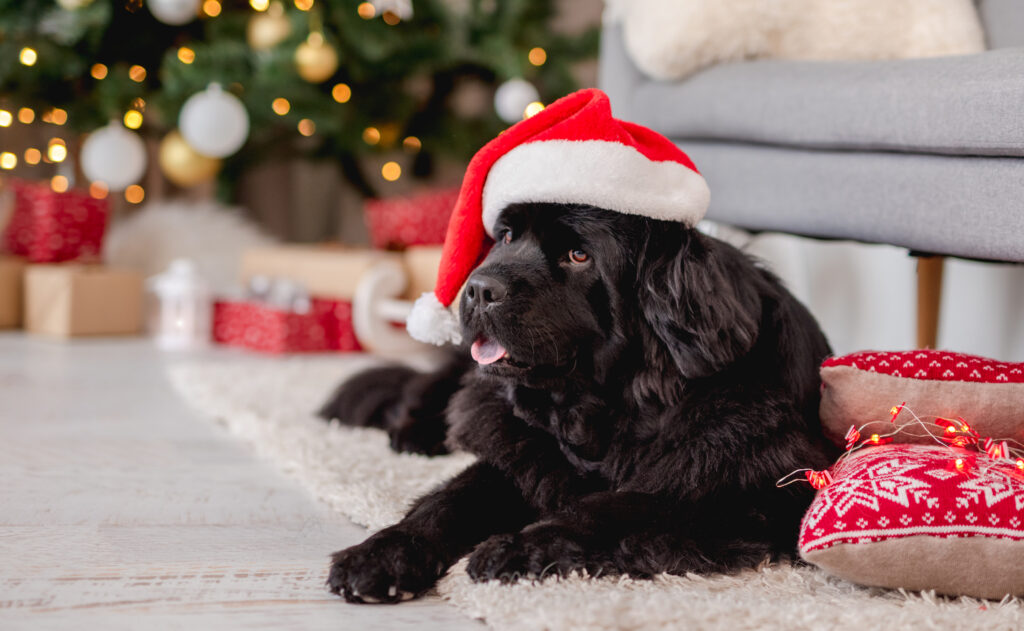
{"x": 331, "y": 79}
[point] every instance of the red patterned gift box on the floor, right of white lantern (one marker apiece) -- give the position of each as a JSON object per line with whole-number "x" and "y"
{"x": 328, "y": 326}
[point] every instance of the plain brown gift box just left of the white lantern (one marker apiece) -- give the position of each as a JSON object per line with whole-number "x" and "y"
{"x": 73, "y": 300}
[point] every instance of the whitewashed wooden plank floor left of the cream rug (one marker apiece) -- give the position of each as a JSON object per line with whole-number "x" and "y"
{"x": 120, "y": 510}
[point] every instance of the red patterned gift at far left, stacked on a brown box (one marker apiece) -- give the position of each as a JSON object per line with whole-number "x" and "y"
{"x": 48, "y": 227}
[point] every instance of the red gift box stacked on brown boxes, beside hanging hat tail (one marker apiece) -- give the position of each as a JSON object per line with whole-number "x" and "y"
{"x": 420, "y": 220}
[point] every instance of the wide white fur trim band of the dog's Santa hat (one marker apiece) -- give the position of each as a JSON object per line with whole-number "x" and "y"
{"x": 602, "y": 174}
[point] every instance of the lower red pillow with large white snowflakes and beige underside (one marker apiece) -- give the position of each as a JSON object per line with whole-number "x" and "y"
{"x": 905, "y": 516}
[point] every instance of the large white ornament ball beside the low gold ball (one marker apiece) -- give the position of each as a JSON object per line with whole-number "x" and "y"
{"x": 215, "y": 122}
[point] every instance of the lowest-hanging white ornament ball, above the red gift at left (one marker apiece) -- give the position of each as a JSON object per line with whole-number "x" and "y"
{"x": 114, "y": 156}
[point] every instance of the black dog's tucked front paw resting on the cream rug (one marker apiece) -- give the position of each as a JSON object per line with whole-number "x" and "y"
{"x": 534, "y": 554}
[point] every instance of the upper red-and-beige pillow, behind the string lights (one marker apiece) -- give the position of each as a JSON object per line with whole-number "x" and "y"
{"x": 864, "y": 387}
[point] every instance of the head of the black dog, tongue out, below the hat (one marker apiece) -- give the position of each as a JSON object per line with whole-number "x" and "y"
{"x": 570, "y": 287}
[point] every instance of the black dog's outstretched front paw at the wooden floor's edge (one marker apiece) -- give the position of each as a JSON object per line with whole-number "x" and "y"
{"x": 391, "y": 567}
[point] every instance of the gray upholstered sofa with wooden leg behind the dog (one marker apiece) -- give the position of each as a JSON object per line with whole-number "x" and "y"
{"x": 923, "y": 154}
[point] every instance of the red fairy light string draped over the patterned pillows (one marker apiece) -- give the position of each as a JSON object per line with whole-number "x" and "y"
{"x": 1005, "y": 457}
